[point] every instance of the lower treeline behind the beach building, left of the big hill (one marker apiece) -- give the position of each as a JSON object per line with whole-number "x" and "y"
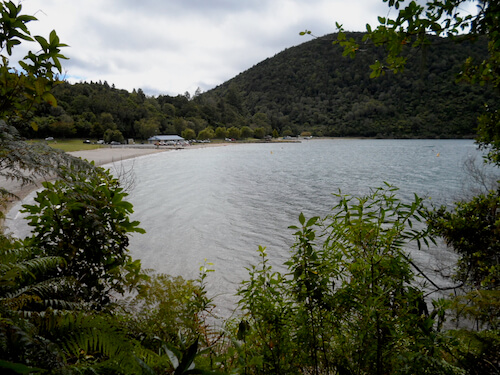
{"x": 100, "y": 111}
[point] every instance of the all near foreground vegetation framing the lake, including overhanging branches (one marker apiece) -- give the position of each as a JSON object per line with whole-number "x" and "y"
{"x": 352, "y": 301}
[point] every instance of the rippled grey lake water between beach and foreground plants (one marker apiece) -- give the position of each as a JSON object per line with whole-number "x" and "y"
{"x": 221, "y": 203}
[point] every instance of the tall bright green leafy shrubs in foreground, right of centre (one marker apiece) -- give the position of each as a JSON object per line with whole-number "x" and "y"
{"x": 350, "y": 303}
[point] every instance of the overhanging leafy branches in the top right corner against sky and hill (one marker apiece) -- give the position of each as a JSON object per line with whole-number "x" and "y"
{"x": 411, "y": 29}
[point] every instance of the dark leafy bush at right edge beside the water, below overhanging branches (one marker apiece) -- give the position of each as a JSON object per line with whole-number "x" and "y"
{"x": 472, "y": 229}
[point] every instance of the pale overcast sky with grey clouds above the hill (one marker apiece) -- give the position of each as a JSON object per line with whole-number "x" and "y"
{"x": 173, "y": 46}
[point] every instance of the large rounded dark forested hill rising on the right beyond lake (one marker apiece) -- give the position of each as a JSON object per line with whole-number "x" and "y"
{"x": 313, "y": 87}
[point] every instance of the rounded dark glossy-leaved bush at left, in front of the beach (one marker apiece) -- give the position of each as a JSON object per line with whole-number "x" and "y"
{"x": 83, "y": 218}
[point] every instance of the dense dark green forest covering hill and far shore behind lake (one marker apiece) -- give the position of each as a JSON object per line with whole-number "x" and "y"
{"x": 308, "y": 88}
